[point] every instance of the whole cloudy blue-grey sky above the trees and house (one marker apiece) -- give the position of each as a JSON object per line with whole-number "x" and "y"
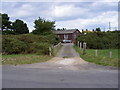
{"x": 70, "y": 15}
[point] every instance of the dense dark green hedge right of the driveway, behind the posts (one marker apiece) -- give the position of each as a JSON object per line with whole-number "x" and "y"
{"x": 100, "y": 40}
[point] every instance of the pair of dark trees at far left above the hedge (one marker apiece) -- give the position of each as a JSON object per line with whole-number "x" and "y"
{"x": 17, "y": 27}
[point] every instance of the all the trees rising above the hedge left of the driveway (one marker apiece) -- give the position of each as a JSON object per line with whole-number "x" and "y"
{"x": 17, "y": 27}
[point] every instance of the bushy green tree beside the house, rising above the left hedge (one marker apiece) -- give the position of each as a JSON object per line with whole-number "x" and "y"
{"x": 43, "y": 26}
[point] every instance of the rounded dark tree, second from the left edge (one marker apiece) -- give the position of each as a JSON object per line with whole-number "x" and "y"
{"x": 20, "y": 27}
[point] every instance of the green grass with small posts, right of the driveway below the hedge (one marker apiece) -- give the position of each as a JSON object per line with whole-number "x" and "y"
{"x": 102, "y": 58}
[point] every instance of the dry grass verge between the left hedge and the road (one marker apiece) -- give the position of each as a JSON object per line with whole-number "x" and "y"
{"x": 16, "y": 59}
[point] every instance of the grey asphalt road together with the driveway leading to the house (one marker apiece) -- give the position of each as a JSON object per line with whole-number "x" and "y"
{"x": 71, "y": 72}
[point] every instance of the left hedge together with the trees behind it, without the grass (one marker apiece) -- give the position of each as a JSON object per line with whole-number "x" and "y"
{"x": 16, "y": 38}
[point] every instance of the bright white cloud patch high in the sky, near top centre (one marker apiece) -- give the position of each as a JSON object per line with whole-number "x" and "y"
{"x": 67, "y": 10}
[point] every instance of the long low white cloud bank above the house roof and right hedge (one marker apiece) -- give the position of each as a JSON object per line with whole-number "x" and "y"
{"x": 103, "y": 19}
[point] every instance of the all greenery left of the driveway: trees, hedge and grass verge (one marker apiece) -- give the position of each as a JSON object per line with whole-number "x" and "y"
{"x": 19, "y": 45}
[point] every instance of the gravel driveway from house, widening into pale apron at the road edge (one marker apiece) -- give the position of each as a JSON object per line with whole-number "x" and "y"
{"x": 67, "y": 56}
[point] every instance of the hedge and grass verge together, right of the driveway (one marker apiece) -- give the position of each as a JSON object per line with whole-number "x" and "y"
{"x": 104, "y": 43}
